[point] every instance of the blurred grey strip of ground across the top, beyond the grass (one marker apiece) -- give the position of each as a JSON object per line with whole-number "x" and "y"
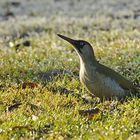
{"x": 70, "y": 8}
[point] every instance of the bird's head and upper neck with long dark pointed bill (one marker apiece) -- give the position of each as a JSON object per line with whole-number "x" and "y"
{"x": 83, "y": 48}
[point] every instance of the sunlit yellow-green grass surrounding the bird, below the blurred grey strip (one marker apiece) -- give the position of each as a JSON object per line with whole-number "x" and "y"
{"x": 33, "y": 108}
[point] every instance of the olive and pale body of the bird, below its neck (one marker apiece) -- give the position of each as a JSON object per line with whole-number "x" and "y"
{"x": 104, "y": 82}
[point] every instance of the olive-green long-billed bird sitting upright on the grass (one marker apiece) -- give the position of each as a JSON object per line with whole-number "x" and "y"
{"x": 100, "y": 80}
